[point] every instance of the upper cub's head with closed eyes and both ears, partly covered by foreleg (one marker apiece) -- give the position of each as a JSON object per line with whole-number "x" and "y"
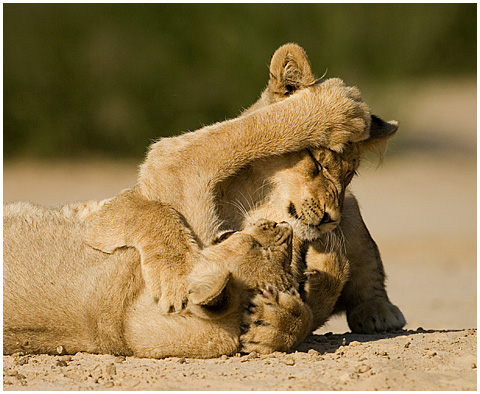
{"x": 306, "y": 188}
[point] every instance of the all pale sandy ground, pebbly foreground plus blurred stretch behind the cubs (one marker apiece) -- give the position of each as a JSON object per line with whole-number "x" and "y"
{"x": 420, "y": 207}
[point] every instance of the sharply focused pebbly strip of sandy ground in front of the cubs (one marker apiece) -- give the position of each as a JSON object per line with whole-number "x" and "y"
{"x": 411, "y": 360}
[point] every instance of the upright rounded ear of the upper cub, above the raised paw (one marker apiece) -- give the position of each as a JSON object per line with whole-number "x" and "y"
{"x": 290, "y": 70}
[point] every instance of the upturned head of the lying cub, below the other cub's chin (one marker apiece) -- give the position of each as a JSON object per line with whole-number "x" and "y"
{"x": 230, "y": 272}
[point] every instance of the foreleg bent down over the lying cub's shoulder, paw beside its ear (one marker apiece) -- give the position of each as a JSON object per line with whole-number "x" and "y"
{"x": 166, "y": 246}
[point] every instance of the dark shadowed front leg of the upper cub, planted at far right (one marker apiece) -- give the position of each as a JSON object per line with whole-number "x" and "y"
{"x": 364, "y": 297}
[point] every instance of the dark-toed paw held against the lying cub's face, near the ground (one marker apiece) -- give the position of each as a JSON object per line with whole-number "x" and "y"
{"x": 275, "y": 321}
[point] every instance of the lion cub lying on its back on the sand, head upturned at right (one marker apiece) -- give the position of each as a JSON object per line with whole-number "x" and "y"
{"x": 58, "y": 291}
